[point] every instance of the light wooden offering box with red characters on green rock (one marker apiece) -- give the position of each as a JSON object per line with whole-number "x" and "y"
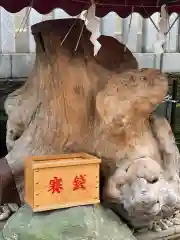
{"x": 61, "y": 181}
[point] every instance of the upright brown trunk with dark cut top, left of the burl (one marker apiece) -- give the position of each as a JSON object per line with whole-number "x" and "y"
{"x": 54, "y": 111}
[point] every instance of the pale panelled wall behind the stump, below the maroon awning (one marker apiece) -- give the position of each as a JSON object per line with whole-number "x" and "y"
{"x": 17, "y": 48}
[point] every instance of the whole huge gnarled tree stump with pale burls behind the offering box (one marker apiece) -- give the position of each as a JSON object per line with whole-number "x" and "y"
{"x": 75, "y": 101}
